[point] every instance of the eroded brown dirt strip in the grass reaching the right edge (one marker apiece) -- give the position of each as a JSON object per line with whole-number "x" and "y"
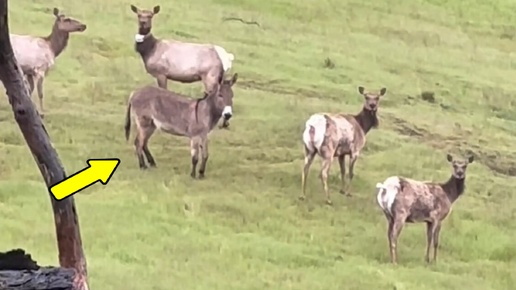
{"x": 494, "y": 160}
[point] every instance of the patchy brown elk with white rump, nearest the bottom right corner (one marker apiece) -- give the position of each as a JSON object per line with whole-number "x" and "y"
{"x": 405, "y": 200}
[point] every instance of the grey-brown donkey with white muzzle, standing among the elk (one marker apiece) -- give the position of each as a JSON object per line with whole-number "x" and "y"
{"x": 156, "y": 108}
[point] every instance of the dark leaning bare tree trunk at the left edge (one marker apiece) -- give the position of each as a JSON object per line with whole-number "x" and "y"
{"x": 65, "y": 215}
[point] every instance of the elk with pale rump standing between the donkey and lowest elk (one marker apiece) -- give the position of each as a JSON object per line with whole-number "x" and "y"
{"x": 338, "y": 135}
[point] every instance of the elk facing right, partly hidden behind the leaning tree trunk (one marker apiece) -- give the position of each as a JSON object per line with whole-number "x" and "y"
{"x": 36, "y": 55}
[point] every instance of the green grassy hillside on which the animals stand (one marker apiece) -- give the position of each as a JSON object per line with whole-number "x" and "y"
{"x": 244, "y": 227}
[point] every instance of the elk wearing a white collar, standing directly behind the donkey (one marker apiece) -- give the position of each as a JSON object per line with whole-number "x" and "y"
{"x": 168, "y": 59}
